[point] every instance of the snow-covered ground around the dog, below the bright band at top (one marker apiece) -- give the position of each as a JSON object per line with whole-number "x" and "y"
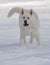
{"x": 11, "y": 53}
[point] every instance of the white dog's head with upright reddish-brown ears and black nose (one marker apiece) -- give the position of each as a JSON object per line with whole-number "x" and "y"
{"x": 26, "y": 17}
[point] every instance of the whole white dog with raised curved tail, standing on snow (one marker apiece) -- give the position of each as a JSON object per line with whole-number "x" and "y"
{"x": 28, "y": 23}
